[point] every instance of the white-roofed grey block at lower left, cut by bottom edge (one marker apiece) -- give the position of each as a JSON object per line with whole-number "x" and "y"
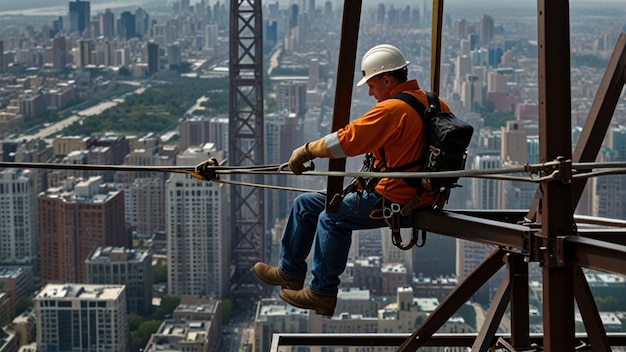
{"x": 73, "y": 317}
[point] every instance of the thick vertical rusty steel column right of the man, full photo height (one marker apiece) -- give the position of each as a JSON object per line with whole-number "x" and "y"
{"x": 554, "y": 143}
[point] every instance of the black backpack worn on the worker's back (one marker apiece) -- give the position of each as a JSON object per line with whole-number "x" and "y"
{"x": 447, "y": 138}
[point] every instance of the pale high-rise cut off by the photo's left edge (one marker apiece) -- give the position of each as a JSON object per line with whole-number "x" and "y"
{"x": 20, "y": 225}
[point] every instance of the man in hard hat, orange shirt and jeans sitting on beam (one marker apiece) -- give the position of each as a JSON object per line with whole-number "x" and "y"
{"x": 390, "y": 124}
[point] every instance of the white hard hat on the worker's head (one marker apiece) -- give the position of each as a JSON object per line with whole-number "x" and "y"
{"x": 379, "y": 59}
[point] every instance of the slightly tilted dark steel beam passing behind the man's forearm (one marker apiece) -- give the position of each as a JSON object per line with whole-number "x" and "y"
{"x": 343, "y": 91}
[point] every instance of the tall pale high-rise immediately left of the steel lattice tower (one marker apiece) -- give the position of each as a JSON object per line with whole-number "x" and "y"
{"x": 198, "y": 251}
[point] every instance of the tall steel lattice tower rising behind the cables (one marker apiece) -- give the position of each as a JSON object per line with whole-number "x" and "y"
{"x": 247, "y": 221}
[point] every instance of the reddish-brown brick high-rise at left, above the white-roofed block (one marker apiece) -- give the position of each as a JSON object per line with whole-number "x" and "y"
{"x": 75, "y": 219}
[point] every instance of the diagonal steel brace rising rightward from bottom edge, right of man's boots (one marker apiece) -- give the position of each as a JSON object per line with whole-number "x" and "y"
{"x": 451, "y": 304}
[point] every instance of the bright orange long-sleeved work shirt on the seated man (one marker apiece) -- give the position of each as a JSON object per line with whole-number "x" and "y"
{"x": 395, "y": 126}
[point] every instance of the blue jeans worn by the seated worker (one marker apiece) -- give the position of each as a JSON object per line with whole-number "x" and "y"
{"x": 330, "y": 234}
